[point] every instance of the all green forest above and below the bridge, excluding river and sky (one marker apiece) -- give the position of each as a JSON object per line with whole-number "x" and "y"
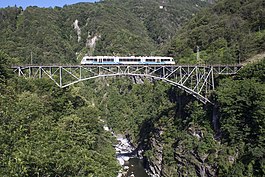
{"x": 49, "y": 131}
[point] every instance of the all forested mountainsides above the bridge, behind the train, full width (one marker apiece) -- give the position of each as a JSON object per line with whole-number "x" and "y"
{"x": 226, "y": 32}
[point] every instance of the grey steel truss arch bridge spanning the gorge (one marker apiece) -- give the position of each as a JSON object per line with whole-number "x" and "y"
{"x": 197, "y": 80}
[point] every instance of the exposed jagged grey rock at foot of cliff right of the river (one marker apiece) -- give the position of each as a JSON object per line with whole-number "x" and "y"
{"x": 188, "y": 161}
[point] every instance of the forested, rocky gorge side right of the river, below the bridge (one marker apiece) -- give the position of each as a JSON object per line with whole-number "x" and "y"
{"x": 178, "y": 134}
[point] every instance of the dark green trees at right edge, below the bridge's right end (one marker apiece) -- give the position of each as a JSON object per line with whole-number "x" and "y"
{"x": 242, "y": 105}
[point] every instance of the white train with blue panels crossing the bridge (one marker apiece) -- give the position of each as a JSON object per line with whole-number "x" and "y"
{"x": 127, "y": 60}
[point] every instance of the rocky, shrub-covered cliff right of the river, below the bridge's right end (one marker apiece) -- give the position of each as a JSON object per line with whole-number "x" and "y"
{"x": 177, "y": 145}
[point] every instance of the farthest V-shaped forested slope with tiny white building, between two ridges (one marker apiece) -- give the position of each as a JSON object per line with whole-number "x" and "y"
{"x": 162, "y": 18}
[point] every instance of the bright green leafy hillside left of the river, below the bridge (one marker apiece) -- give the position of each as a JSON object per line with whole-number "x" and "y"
{"x": 48, "y": 131}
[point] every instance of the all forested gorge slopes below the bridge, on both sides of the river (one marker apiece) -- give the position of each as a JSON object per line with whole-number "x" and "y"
{"x": 46, "y": 130}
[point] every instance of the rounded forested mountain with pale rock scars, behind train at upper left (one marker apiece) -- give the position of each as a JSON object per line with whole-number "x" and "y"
{"x": 51, "y": 36}
